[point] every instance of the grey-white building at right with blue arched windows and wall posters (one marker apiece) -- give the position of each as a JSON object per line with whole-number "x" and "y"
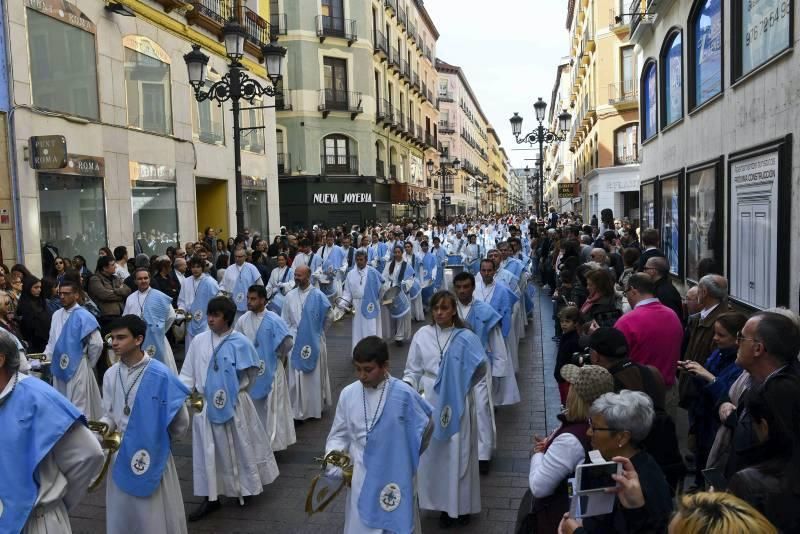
{"x": 720, "y": 101}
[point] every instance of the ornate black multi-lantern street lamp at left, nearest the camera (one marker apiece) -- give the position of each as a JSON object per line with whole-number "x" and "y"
{"x": 236, "y": 85}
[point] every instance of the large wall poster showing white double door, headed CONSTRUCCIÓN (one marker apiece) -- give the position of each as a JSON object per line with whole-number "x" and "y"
{"x": 753, "y": 229}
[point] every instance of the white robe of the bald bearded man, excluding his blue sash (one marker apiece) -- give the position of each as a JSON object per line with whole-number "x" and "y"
{"x": 309, "y": 392}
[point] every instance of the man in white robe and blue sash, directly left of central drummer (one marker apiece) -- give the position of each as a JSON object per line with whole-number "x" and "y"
{"x": 362, "y": 292}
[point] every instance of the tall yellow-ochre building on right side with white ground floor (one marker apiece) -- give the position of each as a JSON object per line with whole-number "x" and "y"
{"x": 603, "y": 104}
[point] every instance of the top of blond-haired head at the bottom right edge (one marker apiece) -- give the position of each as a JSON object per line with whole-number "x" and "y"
{"x": 718, "y": 513}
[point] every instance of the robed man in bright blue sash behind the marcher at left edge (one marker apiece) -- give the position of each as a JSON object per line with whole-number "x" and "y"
{"x": 74, "y": 347}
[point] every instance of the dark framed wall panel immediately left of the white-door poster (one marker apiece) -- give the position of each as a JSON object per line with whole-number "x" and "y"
{"x": 702, "y": 239}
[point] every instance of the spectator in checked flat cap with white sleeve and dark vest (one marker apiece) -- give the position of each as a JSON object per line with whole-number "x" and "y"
{"x": 556, "y": 457}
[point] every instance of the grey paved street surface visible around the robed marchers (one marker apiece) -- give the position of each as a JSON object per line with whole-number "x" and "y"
{"x": 281, "y": 507}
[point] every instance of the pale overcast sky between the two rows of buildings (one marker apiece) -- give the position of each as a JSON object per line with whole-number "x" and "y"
{"x": 509, "y": 50}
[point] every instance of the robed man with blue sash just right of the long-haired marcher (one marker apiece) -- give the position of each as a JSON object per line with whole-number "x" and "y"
{"x": 484, "y": 320}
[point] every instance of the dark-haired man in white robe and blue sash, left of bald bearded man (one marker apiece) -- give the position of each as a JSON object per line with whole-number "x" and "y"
{"x": 274, "y": 410}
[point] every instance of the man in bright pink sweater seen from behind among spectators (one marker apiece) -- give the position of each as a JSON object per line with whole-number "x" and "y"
{"x": 653, "y": 333}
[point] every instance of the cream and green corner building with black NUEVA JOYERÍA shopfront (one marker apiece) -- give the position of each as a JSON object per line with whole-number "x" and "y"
{"x": 358, "y": 118}
